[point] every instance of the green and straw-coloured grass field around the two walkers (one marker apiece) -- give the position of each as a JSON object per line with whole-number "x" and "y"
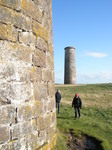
{"x": 96, "y": 119}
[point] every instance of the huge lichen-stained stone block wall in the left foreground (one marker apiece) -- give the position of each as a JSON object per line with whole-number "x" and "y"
{"x": 27, "y": 103}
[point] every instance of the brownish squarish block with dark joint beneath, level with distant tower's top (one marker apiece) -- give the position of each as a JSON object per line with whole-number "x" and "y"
{"x": 39, "y": 58}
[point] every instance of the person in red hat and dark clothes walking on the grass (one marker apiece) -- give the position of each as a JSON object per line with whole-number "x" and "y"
{"x": 77, "y": 103}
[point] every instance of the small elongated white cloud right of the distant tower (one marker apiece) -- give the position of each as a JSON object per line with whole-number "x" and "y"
{"x": 96, "y": 54}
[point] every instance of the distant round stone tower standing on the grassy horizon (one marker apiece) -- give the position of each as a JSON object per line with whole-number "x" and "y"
{"x": 70, "y": 68}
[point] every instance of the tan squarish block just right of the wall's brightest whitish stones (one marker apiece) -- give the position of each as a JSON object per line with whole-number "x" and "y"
{"x": 40, "y": 90}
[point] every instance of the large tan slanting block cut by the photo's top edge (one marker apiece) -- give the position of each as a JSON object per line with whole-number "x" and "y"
{"x": 32, "y": 10}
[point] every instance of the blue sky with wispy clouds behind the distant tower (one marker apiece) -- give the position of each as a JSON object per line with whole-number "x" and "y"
{"x": 87, "y": 26}
